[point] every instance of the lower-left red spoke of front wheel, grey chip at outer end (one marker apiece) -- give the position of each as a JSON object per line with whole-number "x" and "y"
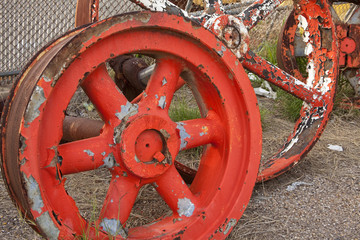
{"x": 119, "y": 200}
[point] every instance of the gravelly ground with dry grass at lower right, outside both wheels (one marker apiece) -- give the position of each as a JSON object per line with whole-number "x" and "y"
{"x": 327, "y": 208}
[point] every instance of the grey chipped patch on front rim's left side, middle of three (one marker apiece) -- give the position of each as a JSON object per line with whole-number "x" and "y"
{"x": 34, "y": 194}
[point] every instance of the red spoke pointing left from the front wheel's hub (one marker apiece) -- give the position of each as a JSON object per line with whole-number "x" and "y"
{"x": 85, "y": 155}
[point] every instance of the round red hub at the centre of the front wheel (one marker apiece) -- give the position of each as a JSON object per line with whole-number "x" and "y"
{"x": 148, "y": 144}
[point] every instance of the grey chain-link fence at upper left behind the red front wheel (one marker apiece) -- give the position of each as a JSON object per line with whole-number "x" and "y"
{"x": 27, "y": 25}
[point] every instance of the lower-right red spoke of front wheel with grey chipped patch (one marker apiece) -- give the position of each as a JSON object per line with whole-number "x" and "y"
{"x": 176, "y": 193}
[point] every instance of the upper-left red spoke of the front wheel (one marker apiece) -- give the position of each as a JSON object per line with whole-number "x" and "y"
{"x": 104, "y": 93}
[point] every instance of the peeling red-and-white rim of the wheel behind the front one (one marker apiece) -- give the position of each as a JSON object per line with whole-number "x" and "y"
{"x": 313, "y": 21}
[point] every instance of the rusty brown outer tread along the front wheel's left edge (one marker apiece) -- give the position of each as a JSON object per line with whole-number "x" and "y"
{"x": 10, "y": 167}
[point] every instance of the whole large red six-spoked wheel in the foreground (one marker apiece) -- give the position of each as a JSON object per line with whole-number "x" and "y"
{"x": 138, "y": 141}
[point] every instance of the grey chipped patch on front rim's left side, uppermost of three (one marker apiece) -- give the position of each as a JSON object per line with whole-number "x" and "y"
{"x": 36, "y": 100}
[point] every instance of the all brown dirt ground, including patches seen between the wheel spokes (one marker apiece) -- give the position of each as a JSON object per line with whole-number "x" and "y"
{"x": 325, "y": 207}
